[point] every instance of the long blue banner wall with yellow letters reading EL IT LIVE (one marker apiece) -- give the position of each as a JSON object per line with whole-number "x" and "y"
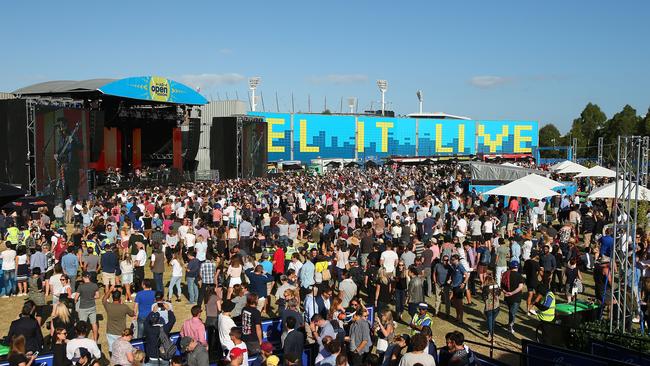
{"x": 308, "y": 136}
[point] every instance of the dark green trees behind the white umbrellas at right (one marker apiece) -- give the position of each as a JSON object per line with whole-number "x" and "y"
{"x": 590, "y": 126}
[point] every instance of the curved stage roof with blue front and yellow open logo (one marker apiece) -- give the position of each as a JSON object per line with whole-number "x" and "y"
{"x": 149, "y": 88}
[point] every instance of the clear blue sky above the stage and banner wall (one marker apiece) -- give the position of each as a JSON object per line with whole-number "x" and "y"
{"x": 541, "y": 60}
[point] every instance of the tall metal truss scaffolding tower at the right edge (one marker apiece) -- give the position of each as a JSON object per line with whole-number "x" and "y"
{"x": 624, "y": 301}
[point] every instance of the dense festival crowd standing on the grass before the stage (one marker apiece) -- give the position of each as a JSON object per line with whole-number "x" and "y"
{"x": 321, "y": 252}
